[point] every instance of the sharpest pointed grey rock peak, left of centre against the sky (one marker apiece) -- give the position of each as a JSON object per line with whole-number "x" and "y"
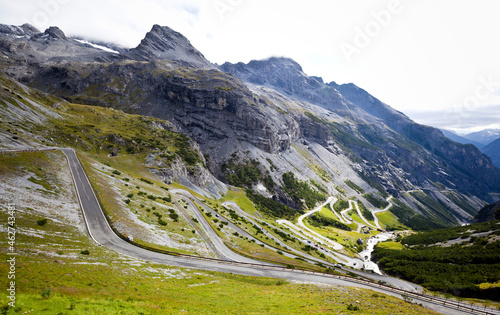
{"x": 163, "y": 43}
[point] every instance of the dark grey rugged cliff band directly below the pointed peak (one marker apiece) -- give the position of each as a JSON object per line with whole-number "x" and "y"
{"x": 209, "y": 105}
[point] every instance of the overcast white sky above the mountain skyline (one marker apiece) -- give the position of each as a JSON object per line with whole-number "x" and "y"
{"x": 436, "y": 61}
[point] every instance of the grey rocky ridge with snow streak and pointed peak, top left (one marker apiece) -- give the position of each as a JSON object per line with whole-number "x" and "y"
{"x": 26, "y": 43}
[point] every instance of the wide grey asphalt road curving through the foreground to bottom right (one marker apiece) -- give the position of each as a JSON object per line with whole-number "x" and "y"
{"x": 101, "y": 233}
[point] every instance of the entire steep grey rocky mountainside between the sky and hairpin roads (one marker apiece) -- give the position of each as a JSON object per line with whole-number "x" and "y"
{"x": 259, "y": 121}
